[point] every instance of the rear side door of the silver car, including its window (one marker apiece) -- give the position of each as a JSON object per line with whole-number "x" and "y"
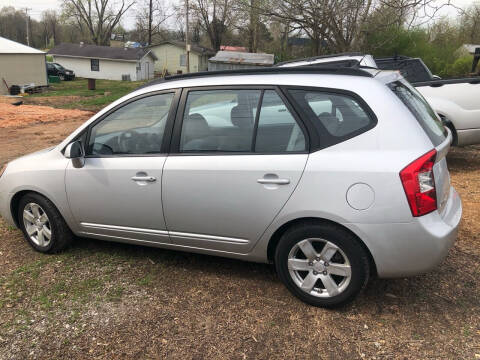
{"x": 237, "y": 156}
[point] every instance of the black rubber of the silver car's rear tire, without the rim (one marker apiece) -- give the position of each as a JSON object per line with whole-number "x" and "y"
{"x": 345, "y": 241}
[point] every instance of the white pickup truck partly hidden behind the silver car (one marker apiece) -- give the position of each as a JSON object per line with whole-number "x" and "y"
{"x": 456, "y": 101}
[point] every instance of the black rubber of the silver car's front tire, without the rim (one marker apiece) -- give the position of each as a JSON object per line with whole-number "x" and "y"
{"x": 61, "y": 235}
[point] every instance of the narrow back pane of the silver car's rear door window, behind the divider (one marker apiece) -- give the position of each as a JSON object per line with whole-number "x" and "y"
{"x": 277, "y": 129}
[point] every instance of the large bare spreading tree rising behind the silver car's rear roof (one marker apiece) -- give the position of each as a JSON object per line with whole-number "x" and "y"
{"x": 340, "y": 24}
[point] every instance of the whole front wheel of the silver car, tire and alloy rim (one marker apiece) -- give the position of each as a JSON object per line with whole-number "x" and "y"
{"x": 55, "y": 233}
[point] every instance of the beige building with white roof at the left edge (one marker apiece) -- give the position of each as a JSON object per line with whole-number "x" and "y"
{"x": 20, "y": 65}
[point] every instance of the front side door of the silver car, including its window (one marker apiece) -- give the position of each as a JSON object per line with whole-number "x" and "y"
{"x": 117, "y": 193}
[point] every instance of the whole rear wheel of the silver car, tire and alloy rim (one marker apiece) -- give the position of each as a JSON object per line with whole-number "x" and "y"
{"x": 335, "y": 257}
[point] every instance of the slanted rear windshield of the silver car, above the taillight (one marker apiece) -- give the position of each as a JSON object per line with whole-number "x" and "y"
{"x": 422, "y": 111}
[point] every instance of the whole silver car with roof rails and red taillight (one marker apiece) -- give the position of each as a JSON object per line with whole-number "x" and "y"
{"x": 333, "y": 175}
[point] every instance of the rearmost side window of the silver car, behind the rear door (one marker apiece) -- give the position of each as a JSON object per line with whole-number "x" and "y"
{"x": 340, "y": 116}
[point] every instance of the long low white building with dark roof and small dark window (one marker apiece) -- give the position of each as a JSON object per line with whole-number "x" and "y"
{"x": 104, "y": 62}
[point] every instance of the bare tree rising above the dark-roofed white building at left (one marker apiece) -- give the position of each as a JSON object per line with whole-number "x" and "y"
{"x": 98, "y": 17}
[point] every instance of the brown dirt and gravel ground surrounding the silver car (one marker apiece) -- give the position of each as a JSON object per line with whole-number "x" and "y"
{"x": 104, "y": 300}
